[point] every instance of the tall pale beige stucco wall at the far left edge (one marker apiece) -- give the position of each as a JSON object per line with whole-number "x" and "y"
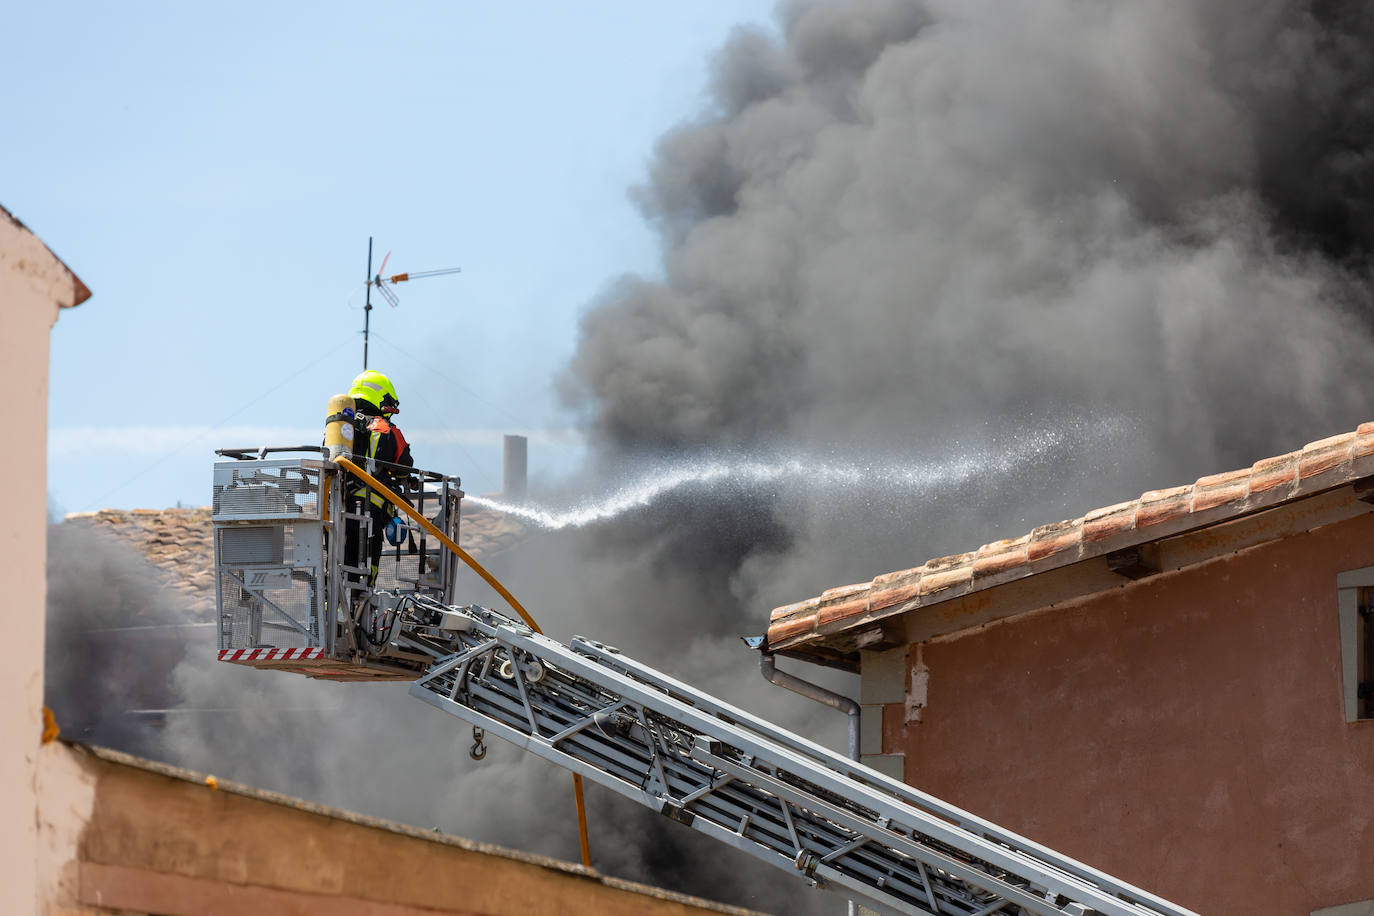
{"x": 34, "y": 286}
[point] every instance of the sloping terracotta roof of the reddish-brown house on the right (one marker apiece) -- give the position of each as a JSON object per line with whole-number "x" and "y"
{"x": 835, "y": 626}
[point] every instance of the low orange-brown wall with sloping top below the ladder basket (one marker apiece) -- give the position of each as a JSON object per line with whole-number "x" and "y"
{"x": 127, "y": 836}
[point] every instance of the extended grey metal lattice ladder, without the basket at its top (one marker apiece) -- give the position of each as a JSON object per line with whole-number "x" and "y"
{"x": 741, "y": 779}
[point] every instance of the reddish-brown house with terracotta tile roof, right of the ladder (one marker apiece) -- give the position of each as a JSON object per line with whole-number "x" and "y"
{"x": 1174, "y": 690}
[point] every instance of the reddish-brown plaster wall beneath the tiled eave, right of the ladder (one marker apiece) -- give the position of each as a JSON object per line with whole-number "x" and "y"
{"x": 1186, "y": 733}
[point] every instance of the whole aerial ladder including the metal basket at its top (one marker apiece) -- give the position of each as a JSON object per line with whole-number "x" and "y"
{"x": 288, "y": 602}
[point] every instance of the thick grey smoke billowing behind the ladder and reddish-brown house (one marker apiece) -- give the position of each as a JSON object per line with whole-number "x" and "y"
{"x": 898, "y": 236}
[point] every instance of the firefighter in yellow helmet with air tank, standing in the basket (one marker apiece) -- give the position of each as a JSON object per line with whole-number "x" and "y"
{"x": 381, "y": 450}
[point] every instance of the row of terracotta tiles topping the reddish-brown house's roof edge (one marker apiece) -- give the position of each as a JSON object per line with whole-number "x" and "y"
{"x": 1218, "y": 498}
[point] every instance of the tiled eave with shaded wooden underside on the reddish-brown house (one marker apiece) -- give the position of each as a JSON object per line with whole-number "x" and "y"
{"x": 1321, "y": 484}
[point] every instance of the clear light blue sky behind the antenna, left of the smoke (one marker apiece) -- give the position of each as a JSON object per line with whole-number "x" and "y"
{"x": 214, "y": 174}
